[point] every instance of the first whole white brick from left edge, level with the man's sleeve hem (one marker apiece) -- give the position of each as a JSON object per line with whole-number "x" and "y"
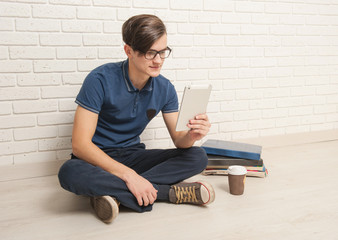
{"x": 35, "y": 106}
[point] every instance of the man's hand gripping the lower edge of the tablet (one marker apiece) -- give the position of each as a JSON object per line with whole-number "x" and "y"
{"x": 199, "y": 127}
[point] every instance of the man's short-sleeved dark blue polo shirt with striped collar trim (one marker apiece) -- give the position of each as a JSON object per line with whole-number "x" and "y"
{"x": 124, "y": 111}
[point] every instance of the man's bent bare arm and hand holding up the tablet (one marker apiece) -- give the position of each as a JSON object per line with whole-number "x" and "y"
{"x": 199, "y": 127}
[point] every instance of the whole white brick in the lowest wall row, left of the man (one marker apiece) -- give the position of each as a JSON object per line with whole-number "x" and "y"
{"x": 35, "y": 157}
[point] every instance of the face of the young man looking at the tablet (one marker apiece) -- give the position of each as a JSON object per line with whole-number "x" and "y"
{"x": 145, "y": 68}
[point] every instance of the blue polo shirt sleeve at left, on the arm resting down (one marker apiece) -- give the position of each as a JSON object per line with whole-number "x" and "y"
{"x": 91, "y": 94}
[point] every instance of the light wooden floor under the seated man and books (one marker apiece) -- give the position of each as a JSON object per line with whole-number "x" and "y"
{"x": 299, "y": 200}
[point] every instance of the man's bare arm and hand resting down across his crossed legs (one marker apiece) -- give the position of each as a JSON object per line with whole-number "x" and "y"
{"x": 85, "y": 123}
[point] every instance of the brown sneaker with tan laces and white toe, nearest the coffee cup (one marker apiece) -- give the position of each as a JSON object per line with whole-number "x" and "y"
{"x": 199, "y": 193}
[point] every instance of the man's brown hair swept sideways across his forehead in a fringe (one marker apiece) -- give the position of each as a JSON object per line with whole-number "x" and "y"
{"x": 142, "y": 31}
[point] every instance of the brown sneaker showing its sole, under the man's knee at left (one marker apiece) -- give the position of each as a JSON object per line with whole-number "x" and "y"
{"x": 105, "y": 207}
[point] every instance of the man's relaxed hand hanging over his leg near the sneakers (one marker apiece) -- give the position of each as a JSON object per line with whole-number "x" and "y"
{"x": 141, "y": 188}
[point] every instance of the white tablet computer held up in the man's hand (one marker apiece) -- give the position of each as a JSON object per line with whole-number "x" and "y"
{"x": 195, "y": 100}
